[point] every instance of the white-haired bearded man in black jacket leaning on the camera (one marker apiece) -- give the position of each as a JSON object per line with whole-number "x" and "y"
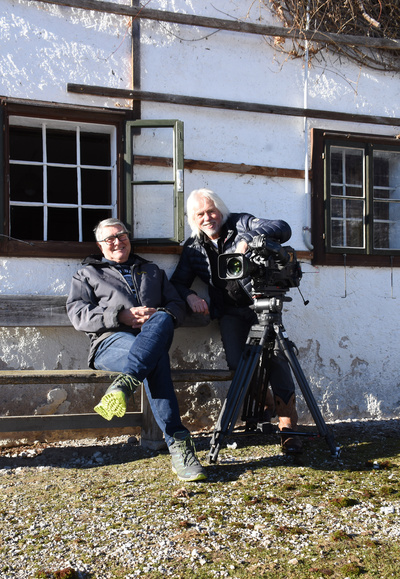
{"x": 215, "y": 231}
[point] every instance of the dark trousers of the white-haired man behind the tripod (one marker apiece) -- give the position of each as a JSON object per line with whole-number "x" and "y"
{"x": 235, "y": 325}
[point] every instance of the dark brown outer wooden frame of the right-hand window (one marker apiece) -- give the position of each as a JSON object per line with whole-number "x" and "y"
{"x": 322, "y": 253}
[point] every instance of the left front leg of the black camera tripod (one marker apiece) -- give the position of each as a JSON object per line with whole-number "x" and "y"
{"x": 235, "y": 397}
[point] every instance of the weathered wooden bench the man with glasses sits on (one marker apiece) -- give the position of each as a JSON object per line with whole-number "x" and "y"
{"x": 49, "y": 311}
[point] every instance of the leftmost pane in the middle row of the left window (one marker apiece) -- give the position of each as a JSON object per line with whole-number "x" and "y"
{"x": 26, "y": 183}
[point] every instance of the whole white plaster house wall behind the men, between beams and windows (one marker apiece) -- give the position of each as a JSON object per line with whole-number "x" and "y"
{"x": 348, "y": 334}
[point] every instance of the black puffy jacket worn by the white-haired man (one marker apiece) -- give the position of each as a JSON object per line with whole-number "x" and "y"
{"x": 194, "y": 261}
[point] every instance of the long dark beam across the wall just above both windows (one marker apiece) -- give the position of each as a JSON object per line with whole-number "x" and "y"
{"x": 231, "y": 105}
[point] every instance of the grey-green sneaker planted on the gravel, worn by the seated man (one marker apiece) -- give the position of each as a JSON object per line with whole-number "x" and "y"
{"x": 185, "y": 463}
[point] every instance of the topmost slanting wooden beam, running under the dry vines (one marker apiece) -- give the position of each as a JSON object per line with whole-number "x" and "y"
{"x": 229, "y": 25}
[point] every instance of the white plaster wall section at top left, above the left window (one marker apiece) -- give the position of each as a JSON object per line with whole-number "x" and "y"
{"x": 43, "y": 47}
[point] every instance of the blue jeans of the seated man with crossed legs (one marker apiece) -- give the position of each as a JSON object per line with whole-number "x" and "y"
{"x": 145, "y": 356}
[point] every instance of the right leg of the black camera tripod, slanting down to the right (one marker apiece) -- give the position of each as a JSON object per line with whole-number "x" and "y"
{"x": 287, "y": 348}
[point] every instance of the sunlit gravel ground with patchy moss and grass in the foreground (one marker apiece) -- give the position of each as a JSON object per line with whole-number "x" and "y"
{"x": 105, "y": 508}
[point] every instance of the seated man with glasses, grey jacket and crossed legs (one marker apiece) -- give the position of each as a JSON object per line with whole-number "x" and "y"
{"x": 129, "y": 310}
